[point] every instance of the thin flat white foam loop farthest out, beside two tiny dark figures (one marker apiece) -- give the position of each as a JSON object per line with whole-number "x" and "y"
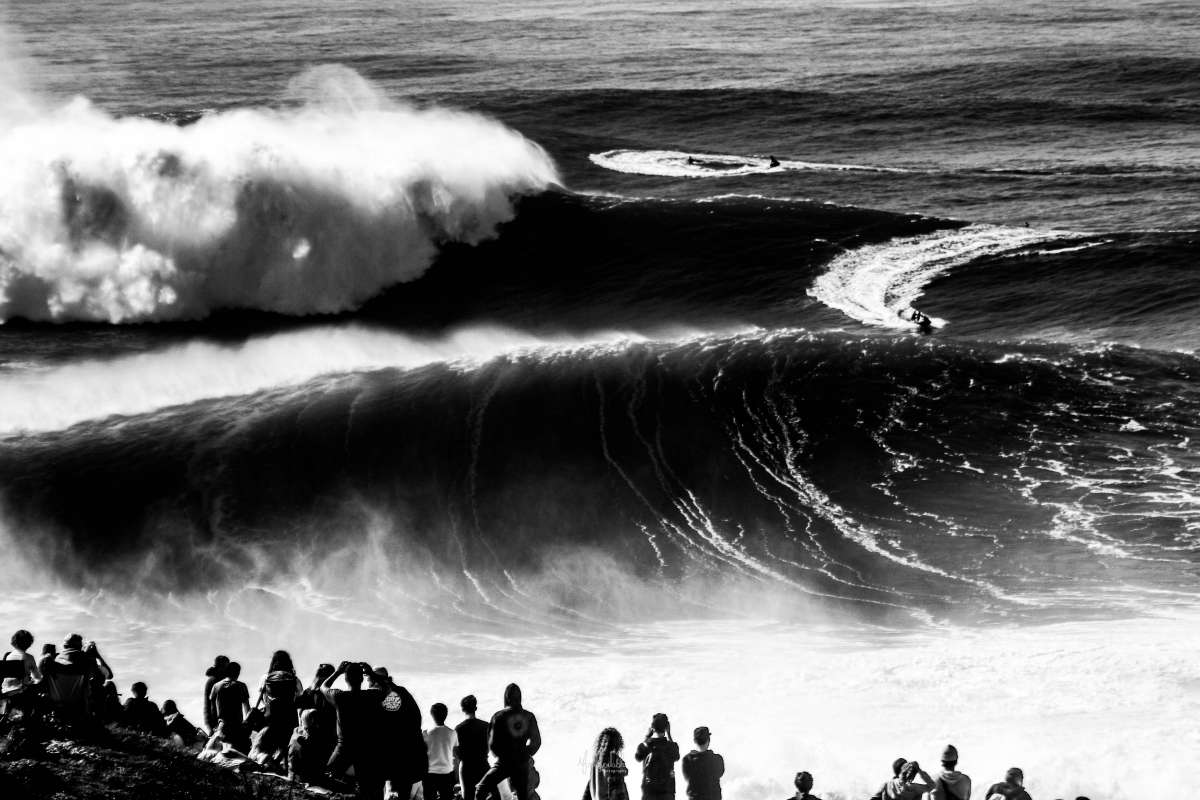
{"x": 674, "y": 164}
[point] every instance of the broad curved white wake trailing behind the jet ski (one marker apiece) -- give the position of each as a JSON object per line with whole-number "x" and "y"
{"x": 877, "y": 284}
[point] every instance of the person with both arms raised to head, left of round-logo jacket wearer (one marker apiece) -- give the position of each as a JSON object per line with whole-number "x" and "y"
{"x": 359, "y": 730}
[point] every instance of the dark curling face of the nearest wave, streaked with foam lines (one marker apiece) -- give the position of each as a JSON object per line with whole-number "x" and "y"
{"x": 889, "y": 474}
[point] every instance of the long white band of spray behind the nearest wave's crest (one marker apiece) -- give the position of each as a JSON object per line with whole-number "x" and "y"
{"x": 56, "y": 399}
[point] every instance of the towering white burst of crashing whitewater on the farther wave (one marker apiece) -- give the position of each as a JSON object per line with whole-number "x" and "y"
{"x": 313, "y": 209}
